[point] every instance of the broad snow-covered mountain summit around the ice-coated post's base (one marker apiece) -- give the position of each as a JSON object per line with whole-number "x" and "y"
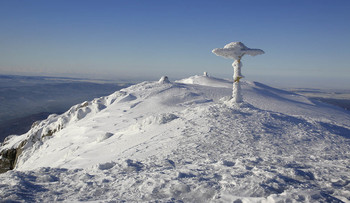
{"x": 183, "y": 141}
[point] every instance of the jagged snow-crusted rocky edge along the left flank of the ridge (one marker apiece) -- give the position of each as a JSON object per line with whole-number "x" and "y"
{"x": 12, "y": 148}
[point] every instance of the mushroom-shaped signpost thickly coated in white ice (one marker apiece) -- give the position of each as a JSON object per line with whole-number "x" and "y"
{"x": 235, "y": 51}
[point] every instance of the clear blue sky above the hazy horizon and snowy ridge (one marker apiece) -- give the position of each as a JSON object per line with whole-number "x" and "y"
{"x": 306, "y": 42}
